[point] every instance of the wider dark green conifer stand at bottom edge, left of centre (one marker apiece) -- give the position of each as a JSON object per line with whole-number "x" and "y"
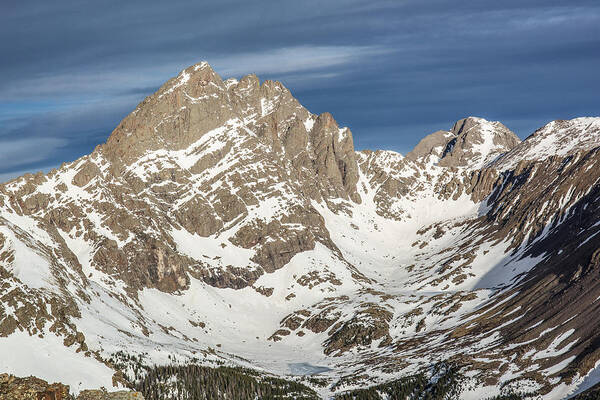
{"x": 194, "y": 382}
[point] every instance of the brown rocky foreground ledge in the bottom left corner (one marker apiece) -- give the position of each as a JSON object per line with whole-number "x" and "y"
{"x": 32, "y": 388}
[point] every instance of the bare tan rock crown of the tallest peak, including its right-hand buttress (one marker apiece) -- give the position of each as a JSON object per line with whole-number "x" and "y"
{"x": 196, "y": 117}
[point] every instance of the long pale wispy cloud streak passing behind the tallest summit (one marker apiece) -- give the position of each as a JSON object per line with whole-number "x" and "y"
{"x": 100, "y": 81}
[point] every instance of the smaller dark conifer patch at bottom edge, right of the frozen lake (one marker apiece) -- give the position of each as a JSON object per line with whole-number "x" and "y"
{"x": 446, "y": 385}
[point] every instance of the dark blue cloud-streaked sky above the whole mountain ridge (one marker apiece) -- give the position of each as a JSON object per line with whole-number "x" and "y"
{"x": 393, "y": 71}
